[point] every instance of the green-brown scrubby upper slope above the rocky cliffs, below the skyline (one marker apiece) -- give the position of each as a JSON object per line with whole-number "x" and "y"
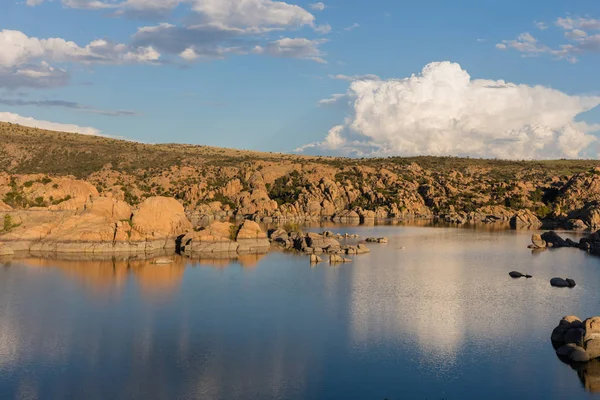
{"x": 26, "y": 150}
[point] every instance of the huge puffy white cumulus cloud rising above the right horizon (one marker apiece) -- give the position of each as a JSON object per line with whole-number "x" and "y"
{"x": 442, "y": 111}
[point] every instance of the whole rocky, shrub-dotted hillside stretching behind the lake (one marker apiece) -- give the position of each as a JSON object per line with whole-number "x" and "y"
{"x": 38, "y": 167}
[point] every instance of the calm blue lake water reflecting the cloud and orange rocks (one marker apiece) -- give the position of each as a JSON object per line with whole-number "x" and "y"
{"x": 431, "y": 315}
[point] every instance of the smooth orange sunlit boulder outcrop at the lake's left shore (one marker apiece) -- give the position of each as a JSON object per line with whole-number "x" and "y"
{"x": 103, "y": 225}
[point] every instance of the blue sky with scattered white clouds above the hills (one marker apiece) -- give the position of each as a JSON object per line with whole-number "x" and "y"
{"x": 501, "y": 79}
